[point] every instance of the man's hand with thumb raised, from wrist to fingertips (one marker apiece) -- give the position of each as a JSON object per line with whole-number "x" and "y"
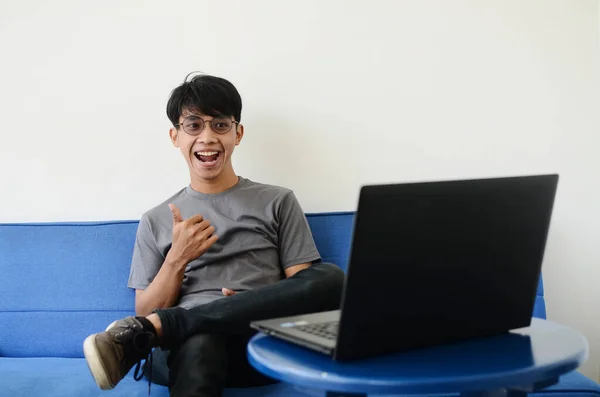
{"x": 191, "y": 237}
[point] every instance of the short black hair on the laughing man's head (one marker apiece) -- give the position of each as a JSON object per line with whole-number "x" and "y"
{"x": 209, "y": 95}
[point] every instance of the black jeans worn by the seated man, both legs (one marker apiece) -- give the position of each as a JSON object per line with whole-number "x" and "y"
{"x": 207, "y": 343}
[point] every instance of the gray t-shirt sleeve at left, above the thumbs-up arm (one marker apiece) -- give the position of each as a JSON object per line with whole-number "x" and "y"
{"x": 147, "y": 259}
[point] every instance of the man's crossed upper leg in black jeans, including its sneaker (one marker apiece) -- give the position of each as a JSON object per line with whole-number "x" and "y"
{"x": 111, "y": 354}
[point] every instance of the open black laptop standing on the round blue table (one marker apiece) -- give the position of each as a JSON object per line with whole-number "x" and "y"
{"x": 433, "y": 263}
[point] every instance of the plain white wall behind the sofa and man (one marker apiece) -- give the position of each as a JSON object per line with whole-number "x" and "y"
{"x": 337, "y": 93}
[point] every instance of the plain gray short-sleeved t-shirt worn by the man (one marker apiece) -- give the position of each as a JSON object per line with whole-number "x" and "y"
{"x": 261, "y": 228}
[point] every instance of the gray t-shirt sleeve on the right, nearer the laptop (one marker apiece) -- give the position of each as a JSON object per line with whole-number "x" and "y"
{"x": 296, "y": 243}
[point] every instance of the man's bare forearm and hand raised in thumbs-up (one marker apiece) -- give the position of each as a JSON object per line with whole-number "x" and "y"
{"x": 191, "y": 239}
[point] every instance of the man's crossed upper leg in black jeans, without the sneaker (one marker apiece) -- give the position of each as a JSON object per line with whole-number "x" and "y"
{"x": 317, "y": 288}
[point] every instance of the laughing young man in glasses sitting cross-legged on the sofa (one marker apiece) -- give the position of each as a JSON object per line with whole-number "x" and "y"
{"x": 218, "y": 254}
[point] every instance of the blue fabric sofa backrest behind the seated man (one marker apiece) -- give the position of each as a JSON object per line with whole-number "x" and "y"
{"x": 59, "y": 282}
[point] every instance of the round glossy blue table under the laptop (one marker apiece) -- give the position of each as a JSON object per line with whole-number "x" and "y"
{"x": 522, "y": 361}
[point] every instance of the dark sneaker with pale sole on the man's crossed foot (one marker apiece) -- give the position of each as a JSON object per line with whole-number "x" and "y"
{"x": 112, "y": 353}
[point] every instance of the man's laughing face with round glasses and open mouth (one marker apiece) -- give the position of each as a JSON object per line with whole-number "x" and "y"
{"x": 208, "y": 151}
